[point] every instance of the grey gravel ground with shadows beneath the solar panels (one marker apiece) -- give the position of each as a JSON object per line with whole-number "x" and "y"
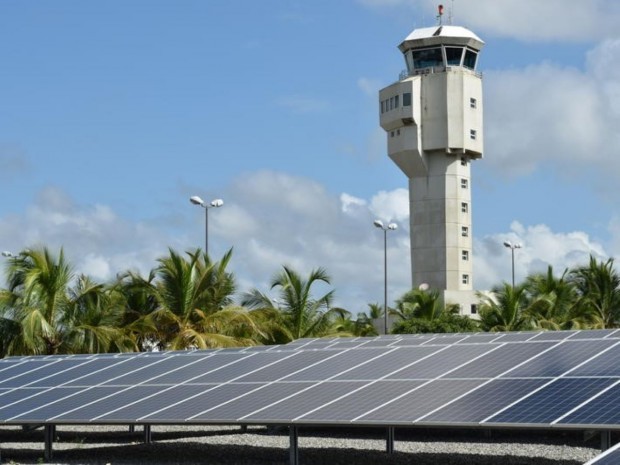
{"x": 258, "y": 445}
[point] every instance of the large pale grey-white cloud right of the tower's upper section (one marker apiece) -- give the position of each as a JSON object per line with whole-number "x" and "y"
{"x": 556, "y": 115}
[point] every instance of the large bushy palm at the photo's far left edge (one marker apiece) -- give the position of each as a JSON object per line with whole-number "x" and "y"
{"x": 42, "y": 314}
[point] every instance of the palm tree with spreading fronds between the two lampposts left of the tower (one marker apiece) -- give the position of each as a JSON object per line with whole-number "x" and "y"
{"x": 300, "y": 313}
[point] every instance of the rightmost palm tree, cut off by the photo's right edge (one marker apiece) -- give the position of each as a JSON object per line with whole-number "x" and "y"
{"x": 598, "y": 285}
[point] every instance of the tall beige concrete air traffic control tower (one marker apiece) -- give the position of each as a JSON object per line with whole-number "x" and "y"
{"x": 433, "y": 120}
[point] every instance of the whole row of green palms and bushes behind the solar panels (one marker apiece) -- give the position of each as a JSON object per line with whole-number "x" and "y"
{"x": 189, "y": 301}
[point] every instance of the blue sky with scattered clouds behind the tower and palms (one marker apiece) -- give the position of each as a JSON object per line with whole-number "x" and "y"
{"x": 113, "y": 113}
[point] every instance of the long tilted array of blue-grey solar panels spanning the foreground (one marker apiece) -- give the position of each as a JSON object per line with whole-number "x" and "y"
{"x": 567, "y": 379}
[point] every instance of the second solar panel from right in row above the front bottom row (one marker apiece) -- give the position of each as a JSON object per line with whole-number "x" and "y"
{"x": 561, "y": 358}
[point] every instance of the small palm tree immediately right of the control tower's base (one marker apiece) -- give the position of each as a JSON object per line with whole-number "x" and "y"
{"x": 505, "y": 309}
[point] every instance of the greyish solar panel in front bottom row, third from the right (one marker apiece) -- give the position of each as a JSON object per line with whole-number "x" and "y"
{"x": 485, "y": 401}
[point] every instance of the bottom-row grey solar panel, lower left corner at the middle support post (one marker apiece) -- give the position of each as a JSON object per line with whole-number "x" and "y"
{"x": 361, "y": 401}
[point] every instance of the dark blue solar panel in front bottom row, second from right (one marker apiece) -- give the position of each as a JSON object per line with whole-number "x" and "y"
{"x": 552, "y": 401}
